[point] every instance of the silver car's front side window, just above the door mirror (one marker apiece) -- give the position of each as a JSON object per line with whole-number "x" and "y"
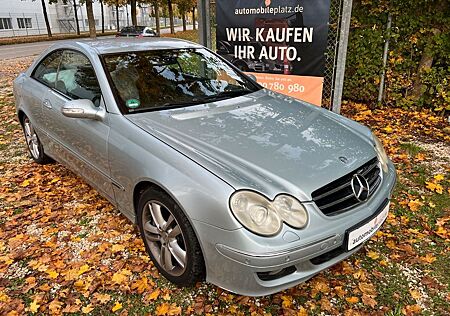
{"x": 76, "y": 78}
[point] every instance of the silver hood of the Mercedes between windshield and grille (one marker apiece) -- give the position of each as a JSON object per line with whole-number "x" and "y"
{"x": 264, "y": 141}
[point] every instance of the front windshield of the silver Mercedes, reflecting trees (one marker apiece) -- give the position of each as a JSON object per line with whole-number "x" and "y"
{"x": 162, "y": 79}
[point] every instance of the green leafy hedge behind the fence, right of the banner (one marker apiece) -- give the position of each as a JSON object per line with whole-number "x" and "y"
{"x": 420, "y": 32}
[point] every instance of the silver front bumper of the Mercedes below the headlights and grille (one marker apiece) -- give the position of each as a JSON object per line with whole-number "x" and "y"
{"x": 244, "y": 263}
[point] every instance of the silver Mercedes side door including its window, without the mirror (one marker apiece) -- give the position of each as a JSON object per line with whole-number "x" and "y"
{"x": 80, "y": 143}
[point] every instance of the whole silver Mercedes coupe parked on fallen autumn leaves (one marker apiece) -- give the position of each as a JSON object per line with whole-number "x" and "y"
{"x": 251, "y": 190}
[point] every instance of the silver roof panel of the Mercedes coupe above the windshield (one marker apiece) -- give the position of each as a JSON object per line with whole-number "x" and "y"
{"x": 120, "y": 45}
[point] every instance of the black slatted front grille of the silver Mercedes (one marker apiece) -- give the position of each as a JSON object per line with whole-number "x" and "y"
{"x": 337, "y": 196}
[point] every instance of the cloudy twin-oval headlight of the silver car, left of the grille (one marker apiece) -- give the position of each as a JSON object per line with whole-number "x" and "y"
{"x": 261, "y": 216}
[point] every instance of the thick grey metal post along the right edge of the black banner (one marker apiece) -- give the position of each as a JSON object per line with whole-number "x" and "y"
{"x": 342, "y": 55}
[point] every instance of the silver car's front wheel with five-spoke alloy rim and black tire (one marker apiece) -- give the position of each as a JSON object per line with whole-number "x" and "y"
{"x": 169, "y": 238}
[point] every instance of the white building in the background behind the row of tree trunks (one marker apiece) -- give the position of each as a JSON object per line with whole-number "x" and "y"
{"x": 25, "y": 17}
